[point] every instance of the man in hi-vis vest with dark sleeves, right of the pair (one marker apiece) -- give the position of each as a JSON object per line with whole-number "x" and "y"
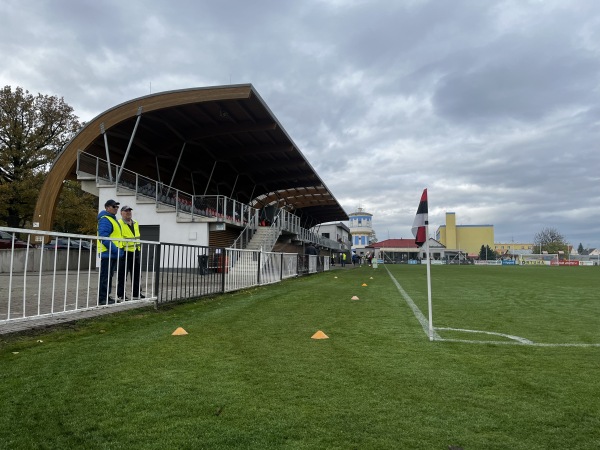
{"x": 130, "y": 263}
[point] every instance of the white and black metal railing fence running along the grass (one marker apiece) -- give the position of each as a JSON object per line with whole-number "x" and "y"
{"x": 62, "y": 276}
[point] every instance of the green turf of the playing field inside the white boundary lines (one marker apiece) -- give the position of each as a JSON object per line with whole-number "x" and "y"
{"x": 553, "y": 305}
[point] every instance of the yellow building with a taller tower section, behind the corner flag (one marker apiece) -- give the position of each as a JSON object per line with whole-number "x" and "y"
{"x": 466, "y": 238}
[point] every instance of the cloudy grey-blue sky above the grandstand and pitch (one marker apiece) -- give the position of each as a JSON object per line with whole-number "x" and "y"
{"x": 494, "y": 106}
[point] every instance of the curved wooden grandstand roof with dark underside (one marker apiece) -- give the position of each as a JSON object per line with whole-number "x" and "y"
{"x": 234, "y": 146}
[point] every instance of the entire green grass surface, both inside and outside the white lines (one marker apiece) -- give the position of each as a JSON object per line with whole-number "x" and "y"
{"x": 248, "y": 375}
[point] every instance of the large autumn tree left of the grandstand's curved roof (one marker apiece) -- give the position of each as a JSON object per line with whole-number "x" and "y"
{"x": 33, "y": 130}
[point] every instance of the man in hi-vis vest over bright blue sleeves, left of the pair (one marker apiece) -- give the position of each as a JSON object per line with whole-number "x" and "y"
{"x": 110, "y": 251}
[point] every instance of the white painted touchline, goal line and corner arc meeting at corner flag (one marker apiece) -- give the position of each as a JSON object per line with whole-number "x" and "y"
{"x": 514, "y": 340}
